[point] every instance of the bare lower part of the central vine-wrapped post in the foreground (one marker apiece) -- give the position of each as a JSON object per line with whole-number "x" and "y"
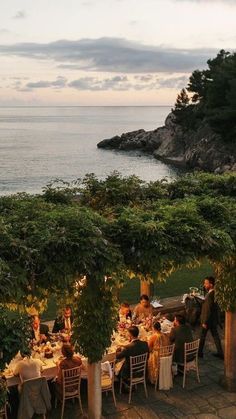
{"x": 94, "y": 391}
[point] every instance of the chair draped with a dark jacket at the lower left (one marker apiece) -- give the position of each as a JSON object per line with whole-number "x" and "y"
{"x": 35, "y": 397}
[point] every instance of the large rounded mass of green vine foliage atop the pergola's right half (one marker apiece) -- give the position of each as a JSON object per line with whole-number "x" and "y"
{"x": 156, "y": 242}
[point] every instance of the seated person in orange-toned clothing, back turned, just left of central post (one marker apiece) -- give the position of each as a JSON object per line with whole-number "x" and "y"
{"x": 70, "y": 361}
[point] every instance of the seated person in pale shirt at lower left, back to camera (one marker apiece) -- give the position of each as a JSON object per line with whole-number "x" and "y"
{"x": 28, "y": 368}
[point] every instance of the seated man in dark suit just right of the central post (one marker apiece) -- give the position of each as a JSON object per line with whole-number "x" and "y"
{"x": 135, "y": 347}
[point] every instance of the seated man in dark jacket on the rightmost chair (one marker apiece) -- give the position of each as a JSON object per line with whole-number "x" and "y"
{"x": 179, "y": 335}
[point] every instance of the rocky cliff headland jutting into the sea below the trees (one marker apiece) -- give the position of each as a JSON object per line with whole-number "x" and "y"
{"x": 199, "y": 149}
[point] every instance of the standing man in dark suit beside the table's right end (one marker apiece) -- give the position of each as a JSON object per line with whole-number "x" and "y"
{"x": 210, "y": 318}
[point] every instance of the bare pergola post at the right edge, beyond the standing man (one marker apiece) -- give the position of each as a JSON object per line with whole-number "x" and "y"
{"x": 229, "y": 379}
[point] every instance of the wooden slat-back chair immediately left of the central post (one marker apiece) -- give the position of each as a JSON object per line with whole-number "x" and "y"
{"x": 71, "y": 379}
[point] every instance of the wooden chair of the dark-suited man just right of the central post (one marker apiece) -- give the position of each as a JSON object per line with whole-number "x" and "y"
{"x": 138, "y": 366}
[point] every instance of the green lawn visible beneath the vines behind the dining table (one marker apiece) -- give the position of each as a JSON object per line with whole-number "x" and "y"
{"x": 177, "y": 284}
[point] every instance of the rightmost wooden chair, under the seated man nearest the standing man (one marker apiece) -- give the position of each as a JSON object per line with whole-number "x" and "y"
{"x": 190, "y": 359}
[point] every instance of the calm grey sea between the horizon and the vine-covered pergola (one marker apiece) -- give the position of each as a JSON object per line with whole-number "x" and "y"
{"x": 43, "y": 143}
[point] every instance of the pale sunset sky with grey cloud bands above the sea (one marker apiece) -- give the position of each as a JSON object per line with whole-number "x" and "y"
{"x": 107, "y": 52}
